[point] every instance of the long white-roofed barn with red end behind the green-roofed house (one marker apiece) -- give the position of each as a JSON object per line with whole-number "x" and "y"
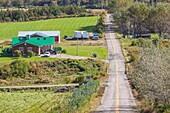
{"x": 32, "y": 34}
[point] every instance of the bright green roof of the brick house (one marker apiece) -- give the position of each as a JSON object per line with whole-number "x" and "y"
{"x": 37, "y": 41}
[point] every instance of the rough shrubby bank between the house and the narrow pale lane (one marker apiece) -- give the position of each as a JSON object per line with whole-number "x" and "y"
{"x": 61, "y": 71}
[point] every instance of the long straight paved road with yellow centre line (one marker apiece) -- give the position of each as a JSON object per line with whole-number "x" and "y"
{"x": 117, "y": 97}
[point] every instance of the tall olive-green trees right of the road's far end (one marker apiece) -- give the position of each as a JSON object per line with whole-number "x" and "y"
{"x": 138, "y": 17}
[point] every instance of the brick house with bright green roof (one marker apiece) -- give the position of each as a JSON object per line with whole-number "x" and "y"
{"x": 38, "y": 45}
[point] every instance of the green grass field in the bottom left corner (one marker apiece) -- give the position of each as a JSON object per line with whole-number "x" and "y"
{"x": 28, "y": 102}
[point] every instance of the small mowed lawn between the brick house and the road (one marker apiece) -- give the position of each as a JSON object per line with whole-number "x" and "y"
{"x": 87, "y": 51}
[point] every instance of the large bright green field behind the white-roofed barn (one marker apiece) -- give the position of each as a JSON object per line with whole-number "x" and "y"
{"x": 67, "y": 26}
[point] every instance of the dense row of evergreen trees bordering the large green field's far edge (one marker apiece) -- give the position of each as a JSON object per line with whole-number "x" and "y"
{"x": 37, "y": 13}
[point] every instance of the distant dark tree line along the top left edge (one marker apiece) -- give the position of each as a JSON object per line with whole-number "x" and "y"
{"x": 30, "y": 3}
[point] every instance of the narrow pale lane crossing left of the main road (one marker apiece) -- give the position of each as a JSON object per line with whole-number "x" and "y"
{"x": 37, "y": 86}
